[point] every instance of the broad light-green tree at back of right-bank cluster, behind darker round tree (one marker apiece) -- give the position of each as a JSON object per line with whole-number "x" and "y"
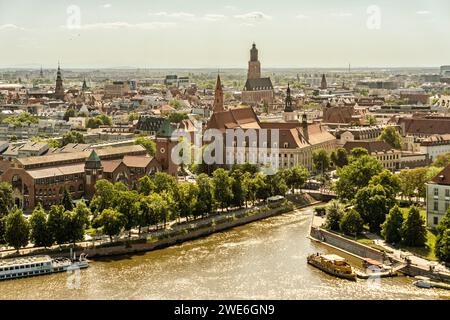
{"x": 356, "y": 175}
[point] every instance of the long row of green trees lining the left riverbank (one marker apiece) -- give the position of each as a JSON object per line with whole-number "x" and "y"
{"x": 158, "y": 200}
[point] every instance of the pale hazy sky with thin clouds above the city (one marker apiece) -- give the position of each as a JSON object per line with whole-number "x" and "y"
{"x": 219, "y": 33}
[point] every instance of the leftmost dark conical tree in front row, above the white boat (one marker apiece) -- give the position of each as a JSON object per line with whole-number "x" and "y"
{"x": 17, "y": 229}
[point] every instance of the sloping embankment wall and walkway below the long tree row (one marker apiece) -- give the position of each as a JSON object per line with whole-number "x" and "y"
{"x": 175, "y": 234}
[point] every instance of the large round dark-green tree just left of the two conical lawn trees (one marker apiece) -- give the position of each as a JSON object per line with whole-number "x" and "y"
{"x": 373, "y": 205}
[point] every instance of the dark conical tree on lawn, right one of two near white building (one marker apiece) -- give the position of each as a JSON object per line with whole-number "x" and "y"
{"x": 414, "y": 232}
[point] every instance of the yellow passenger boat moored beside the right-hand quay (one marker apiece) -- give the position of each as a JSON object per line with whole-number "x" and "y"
{"x": 332, "y": 264}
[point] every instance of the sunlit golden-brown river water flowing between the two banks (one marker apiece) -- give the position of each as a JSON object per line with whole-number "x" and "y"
{"x": 261, "y": 260}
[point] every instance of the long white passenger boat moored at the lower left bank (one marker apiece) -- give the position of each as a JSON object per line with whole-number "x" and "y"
{"x": 39, "y": 265}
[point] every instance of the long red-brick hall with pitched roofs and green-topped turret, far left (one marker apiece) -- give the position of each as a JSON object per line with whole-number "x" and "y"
{"x": 43, "y": 179}
